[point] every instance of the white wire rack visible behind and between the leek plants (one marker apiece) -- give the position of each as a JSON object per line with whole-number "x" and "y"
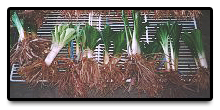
{"x": 186, "y": 65}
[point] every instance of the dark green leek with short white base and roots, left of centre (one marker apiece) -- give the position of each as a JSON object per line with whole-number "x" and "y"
{"x": 88, "y": 68}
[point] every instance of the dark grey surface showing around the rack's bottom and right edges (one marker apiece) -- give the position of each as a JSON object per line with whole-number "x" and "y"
{"x": 21, "y": 90}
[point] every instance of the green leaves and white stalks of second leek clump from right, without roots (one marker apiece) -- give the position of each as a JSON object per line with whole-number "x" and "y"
{"x": 168, "y": 35}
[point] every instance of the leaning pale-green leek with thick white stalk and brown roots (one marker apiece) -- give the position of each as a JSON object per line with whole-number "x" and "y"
{"x": 47, "y": 69}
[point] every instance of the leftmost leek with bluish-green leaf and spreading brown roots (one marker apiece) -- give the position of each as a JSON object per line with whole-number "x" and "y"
{"x": 29, "y": 47}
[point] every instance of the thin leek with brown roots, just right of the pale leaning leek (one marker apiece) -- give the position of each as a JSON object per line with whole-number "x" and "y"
{"x": 70, "y": 84}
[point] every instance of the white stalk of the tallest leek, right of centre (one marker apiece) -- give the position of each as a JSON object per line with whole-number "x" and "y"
{"x": 135, "y": 47}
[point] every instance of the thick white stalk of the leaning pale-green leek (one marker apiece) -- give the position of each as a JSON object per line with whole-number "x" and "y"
{"x": 53, "y": 53}
